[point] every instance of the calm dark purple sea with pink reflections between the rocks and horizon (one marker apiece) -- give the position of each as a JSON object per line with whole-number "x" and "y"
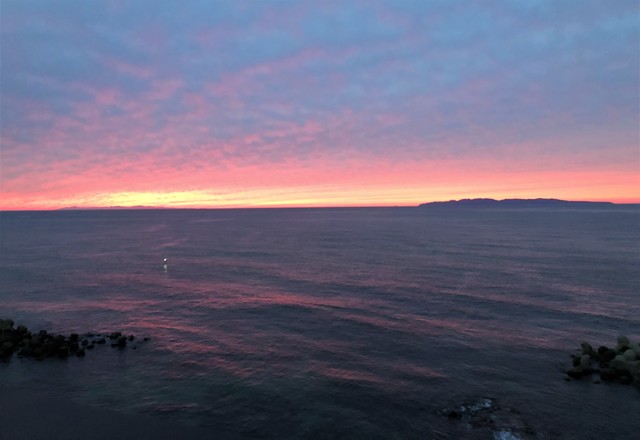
{"x": 330, "y": 323}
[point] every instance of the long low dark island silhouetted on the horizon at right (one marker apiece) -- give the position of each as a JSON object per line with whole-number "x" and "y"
{"x": 514, "y": 203}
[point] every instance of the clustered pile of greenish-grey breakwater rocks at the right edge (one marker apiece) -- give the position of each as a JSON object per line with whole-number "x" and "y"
{"x": 620, "y": 364}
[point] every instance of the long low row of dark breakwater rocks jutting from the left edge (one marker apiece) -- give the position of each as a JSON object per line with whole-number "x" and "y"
{"x": 25, "y": 343}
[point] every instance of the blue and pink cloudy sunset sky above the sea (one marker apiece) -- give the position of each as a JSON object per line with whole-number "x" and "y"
{"x": 317, "y": 103}
